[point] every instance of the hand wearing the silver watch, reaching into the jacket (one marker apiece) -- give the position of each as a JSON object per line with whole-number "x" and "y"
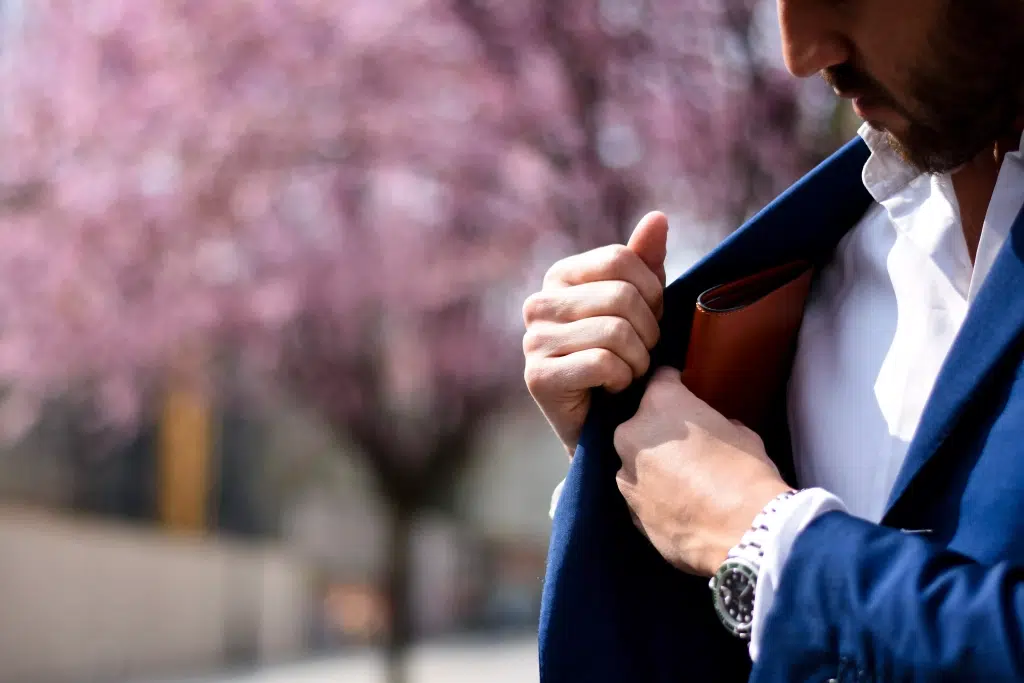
{"x": 694, "y": 481}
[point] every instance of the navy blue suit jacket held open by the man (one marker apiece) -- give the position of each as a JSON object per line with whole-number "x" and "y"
{"x": 858, "y": 602}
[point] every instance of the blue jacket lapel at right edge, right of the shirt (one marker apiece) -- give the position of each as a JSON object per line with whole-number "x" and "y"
{"x": 995, "y": 323}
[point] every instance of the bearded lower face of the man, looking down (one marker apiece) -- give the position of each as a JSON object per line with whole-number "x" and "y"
{"x": 940, "y": 77}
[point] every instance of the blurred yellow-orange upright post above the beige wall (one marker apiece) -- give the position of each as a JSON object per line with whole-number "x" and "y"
{"x": 185, "y": 458}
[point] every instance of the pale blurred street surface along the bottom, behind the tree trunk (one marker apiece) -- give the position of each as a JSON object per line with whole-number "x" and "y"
{"x": 513, "y": 661}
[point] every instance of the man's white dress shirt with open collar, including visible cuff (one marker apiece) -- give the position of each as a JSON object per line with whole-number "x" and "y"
{"x": 879, "y": 325}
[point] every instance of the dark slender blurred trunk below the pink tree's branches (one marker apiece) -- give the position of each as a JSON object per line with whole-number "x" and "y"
{"x": 400, "y": 574}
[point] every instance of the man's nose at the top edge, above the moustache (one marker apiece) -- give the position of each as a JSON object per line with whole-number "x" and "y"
{"x": 813, "y": 39}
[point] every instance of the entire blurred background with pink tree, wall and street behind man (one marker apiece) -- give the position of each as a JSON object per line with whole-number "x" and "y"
{"x": 262, "y": 271}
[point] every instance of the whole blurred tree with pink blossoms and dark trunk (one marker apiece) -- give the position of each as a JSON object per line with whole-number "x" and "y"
{"x": 343, "y": 195}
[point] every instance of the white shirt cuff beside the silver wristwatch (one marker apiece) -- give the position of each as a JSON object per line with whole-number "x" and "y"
{"x": 793, "y": 517}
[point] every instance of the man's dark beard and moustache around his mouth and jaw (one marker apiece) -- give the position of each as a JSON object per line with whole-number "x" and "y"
{"x": 964, "y": 95}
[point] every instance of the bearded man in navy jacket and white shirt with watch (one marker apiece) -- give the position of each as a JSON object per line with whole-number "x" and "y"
{"x": 901, "y": 558}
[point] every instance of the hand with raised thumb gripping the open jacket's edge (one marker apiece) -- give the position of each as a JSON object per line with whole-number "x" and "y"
{"x": 593, "y": 325}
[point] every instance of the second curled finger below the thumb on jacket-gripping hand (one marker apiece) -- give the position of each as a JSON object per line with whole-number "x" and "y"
{"x": 615, "y": 298}
